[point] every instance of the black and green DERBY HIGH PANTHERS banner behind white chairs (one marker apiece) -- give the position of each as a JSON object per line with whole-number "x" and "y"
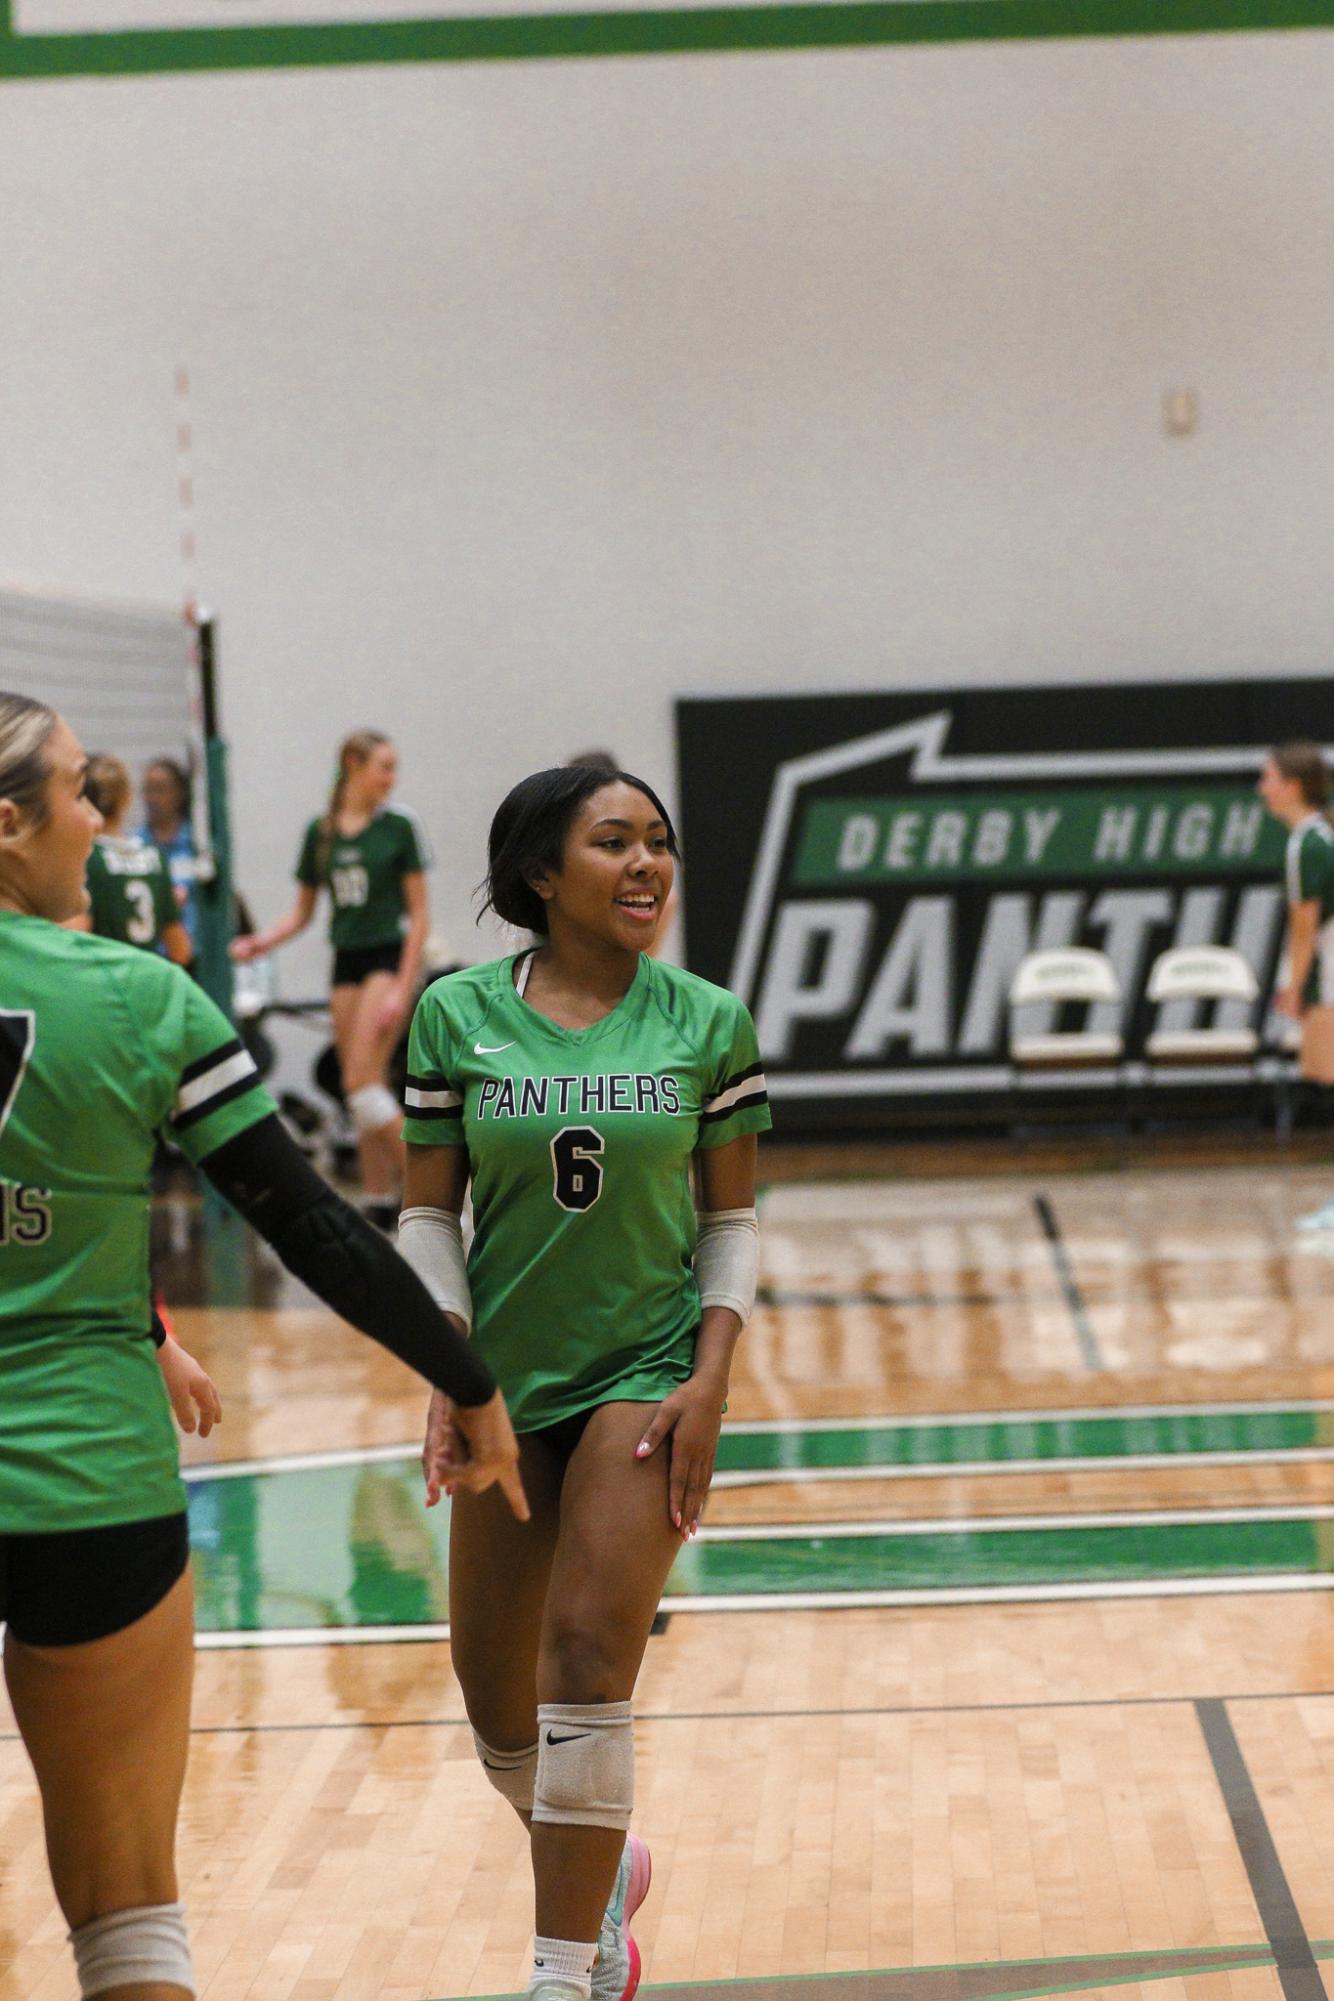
{"x": 869, "y": 871}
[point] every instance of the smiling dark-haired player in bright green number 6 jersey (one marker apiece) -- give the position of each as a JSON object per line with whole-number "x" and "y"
{"x": 579, "y": 1088}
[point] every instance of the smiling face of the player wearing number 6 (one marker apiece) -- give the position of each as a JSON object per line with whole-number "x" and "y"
{"x": 615, "y": 873}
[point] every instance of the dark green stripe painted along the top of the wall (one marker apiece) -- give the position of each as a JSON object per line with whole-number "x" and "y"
{"x": 659, "y": 33}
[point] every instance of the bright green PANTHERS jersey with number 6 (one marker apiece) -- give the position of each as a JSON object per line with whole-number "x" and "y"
{"x": 579, "y": 1144}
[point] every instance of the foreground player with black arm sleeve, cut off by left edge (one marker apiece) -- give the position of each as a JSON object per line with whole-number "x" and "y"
{"x": 101, "y": 1048}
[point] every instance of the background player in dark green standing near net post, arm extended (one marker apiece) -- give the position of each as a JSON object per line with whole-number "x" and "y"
{"x": 373, "y": 859}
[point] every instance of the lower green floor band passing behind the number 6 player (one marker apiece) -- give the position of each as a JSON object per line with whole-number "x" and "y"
{"x": 353, "y": 1548}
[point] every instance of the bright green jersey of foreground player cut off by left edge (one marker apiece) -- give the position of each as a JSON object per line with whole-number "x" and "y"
{"x": 101, "y": 1050}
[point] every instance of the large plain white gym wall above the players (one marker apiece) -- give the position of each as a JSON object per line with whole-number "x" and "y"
{"x": 533, "y": 395}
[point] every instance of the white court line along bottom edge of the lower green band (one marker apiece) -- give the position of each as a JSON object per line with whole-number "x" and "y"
{"x": 817, "y": 1602}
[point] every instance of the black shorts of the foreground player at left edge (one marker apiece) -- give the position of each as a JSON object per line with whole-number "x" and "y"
{"x": 85, "y": 1584}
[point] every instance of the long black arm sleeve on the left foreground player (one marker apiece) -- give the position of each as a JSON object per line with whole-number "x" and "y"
{"x": 341, "y": 1258}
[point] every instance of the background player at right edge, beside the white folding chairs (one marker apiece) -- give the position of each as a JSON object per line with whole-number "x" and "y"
{"x": 1295, "y": 785}
